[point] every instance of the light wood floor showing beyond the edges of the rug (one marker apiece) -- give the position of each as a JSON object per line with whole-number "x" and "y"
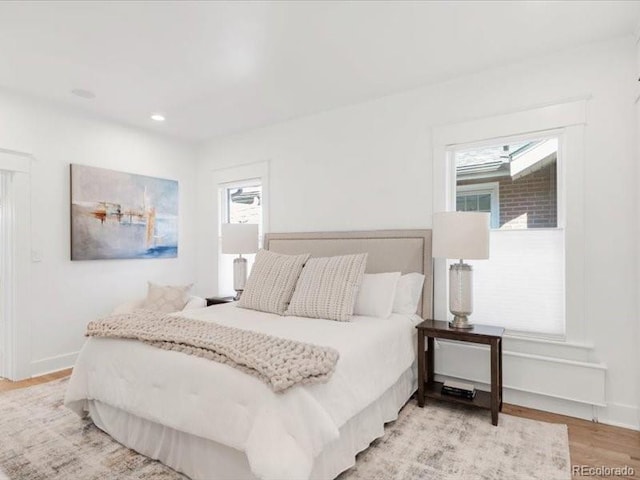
{"x": 592, "y": 444}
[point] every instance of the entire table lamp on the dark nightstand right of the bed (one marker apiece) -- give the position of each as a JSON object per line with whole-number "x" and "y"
{"x": 461, "y": 235}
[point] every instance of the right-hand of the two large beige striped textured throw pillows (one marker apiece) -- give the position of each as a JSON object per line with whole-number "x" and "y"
{"x": 327, "y": 287}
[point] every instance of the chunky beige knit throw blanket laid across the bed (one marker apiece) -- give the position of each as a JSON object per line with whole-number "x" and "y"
{"x": 279, "y": 362}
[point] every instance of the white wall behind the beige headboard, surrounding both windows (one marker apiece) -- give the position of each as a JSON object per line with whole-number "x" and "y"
{"x": 369, "y": 166}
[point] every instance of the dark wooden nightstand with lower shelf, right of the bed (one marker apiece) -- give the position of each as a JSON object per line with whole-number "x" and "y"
{"x": 428, "y": 387}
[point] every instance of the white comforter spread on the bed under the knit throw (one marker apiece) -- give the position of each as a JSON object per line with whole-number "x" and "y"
{"x": 281, "y": 433}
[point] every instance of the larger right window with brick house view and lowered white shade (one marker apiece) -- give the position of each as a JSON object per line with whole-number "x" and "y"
{"x": 521, "y": 286}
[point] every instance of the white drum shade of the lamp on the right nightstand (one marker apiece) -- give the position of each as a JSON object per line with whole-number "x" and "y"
{"x": 461, "y": 235}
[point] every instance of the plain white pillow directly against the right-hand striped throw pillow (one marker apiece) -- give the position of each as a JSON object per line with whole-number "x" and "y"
{"x": 376, "y": 294}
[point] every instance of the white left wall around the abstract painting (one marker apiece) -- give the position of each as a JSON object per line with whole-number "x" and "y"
{"x": 65, "y": 295}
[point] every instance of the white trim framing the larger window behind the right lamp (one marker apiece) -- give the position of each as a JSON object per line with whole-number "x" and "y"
{"x": 568, "y": 118}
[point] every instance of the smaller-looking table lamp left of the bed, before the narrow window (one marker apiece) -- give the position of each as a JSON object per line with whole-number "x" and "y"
{"x": 239, "y": 239}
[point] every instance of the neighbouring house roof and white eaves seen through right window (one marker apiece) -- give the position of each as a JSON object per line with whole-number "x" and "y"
{"x": 518, "y": 160}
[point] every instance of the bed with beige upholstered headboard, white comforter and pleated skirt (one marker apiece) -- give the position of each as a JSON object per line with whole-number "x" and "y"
{"x": 209, "y": 420}
